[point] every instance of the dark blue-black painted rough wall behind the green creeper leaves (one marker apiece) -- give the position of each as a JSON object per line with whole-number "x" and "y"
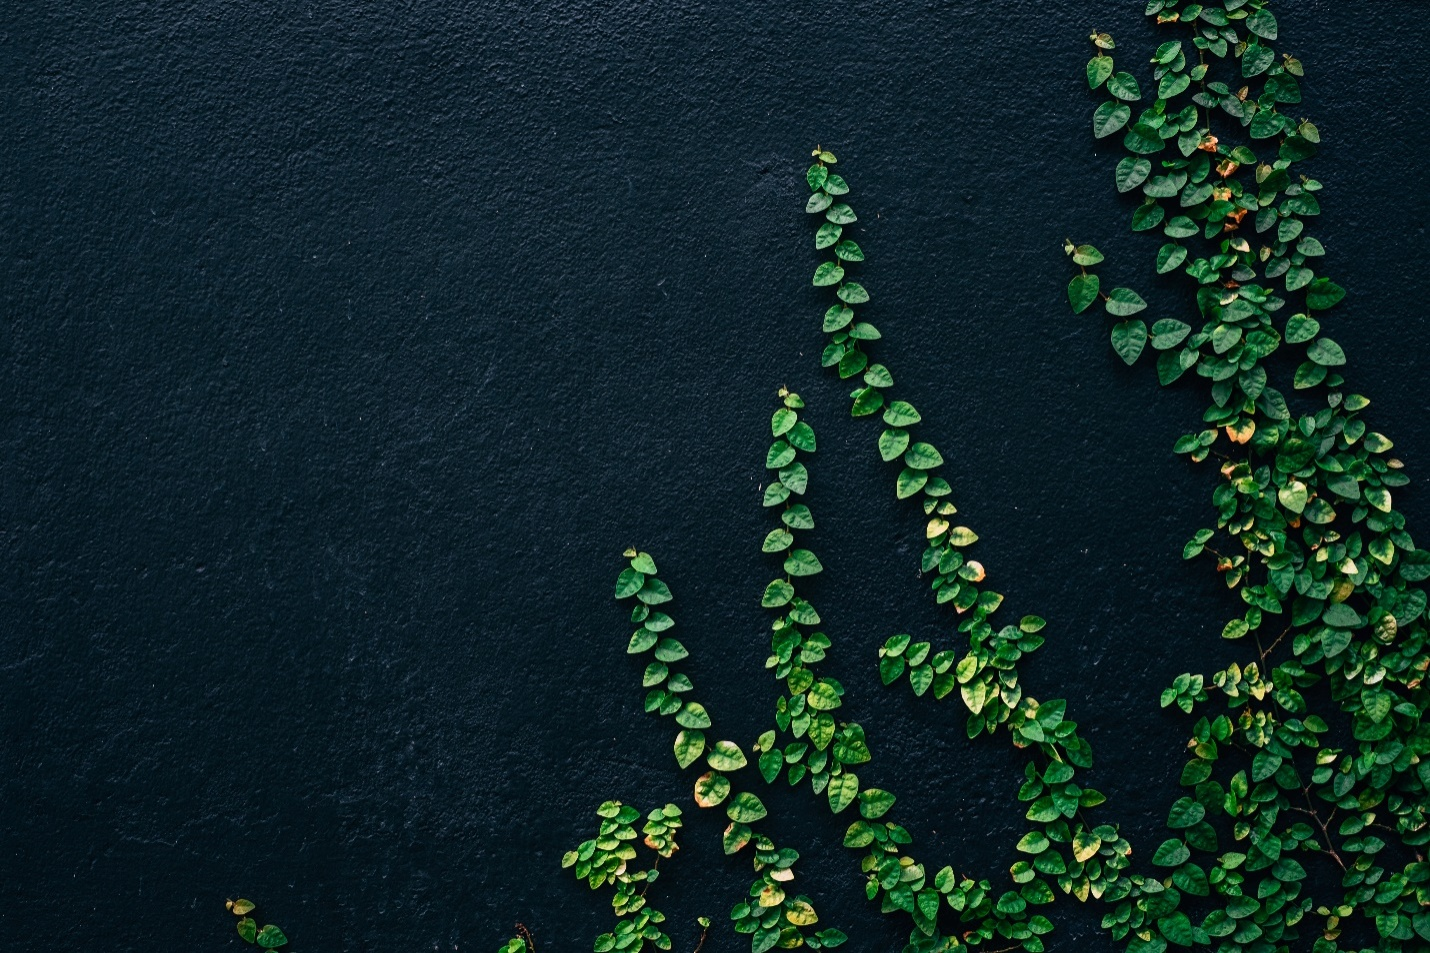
{"x": 347, "y": 346}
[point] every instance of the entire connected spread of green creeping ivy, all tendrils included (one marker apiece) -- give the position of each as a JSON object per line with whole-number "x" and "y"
{"x": 1303, "y": 819}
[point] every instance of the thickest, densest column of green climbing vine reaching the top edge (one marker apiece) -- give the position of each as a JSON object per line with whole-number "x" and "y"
{"x": 1309, "y": 755}
